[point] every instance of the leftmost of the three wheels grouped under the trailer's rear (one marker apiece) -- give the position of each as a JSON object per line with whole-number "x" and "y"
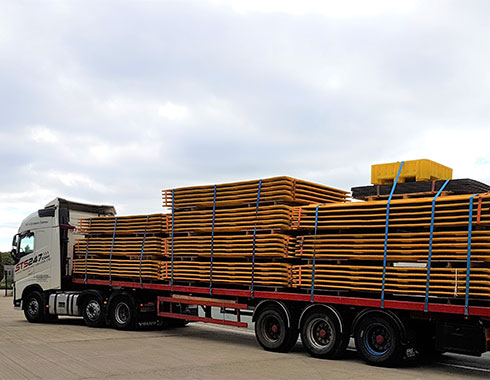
{"x": 272, "y": 332}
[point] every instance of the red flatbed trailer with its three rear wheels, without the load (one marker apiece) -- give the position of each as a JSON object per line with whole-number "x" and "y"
{"x": 411, "y": 330}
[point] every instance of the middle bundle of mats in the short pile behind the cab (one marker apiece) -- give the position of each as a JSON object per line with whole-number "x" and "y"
{"x": 122, "y": 246}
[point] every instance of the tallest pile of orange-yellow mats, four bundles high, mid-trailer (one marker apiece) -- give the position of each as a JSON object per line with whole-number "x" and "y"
{"x": 239, "y": 232}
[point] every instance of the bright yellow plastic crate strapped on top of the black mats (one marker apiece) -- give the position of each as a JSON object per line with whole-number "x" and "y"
{"x": 415, "y": 170}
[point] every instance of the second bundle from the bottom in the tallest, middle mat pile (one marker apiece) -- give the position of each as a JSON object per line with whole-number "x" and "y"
{"x": 266, "y": 245}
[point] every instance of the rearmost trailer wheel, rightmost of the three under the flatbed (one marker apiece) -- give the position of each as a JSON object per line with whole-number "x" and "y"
{"x": 378, "y": 341}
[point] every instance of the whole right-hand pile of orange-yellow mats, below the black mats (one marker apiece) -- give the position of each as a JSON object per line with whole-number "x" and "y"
{"x": 349, "y": 246}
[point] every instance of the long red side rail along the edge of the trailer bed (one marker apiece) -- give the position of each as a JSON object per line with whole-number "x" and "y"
{"x": 477, "y": 311}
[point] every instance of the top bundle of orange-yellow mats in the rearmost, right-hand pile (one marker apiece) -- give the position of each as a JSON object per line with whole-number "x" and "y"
{"x": 450, "y": 211}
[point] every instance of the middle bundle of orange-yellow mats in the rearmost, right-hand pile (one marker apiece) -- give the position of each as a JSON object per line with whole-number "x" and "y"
{"x": 402, "y": 246}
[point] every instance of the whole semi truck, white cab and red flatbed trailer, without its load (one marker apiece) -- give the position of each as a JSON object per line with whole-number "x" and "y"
{"x": 385, "y": 332}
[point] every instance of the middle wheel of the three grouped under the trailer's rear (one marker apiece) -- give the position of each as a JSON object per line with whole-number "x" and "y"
{"x": 321, "y": 336}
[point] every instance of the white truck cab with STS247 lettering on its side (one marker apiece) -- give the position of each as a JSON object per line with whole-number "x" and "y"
{"x": 43, "y": 250}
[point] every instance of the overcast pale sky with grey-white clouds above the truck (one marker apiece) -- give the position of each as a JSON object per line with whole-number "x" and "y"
{"x": 112, "y": 101}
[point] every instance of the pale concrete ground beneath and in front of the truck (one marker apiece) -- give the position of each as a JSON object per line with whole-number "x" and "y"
{"x": 70, "y": 350}
